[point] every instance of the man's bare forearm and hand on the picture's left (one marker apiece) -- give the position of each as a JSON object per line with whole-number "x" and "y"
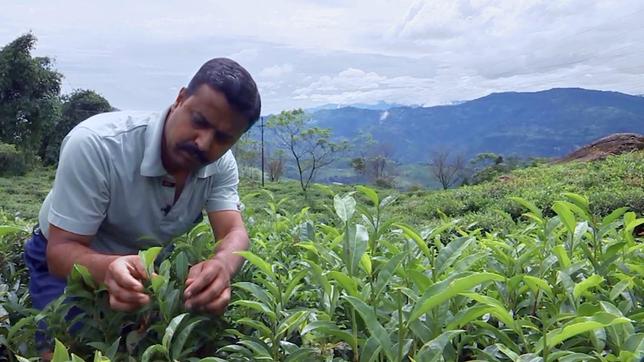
{"x": 121, "y": 274}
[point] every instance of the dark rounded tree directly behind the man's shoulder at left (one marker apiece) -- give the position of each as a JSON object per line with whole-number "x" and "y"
{"x": 76, "y": 107}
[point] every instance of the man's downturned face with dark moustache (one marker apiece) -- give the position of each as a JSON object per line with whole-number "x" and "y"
{"x": 199, "y": 129}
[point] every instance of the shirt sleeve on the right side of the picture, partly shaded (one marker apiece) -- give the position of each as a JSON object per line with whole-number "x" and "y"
{"x": 223, "y": 191}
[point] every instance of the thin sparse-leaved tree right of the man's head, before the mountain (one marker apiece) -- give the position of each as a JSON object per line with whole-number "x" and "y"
{"x": 310, "y": 147}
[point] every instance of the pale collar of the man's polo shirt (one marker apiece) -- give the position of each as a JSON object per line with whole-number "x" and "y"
{"x": 152, "y": 165}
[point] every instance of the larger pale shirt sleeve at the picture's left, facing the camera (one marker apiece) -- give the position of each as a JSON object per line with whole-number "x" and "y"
{"x": 81, "y": 193}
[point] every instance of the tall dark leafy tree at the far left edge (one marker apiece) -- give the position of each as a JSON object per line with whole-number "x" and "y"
{"x": 29, "y": 89}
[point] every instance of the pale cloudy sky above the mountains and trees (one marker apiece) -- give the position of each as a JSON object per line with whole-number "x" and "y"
{"x": 303, "y": 54}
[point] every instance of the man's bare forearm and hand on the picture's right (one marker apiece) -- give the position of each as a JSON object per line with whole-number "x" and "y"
{"x": 208, "y": 283}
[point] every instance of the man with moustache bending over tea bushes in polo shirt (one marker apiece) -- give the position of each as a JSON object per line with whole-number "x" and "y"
{"x": 127, "y": 181}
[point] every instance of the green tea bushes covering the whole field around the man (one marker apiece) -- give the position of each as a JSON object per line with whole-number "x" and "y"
{"x": 373, "y": 275}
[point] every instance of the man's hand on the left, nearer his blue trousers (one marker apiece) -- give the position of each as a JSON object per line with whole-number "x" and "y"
{"x": 123, "y": 280}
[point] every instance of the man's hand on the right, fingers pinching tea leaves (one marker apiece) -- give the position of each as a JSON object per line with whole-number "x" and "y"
{"x": 208, "y": 287}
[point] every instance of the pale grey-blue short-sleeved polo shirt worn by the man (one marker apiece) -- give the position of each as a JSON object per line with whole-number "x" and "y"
{"x": 111, "y": 183}
